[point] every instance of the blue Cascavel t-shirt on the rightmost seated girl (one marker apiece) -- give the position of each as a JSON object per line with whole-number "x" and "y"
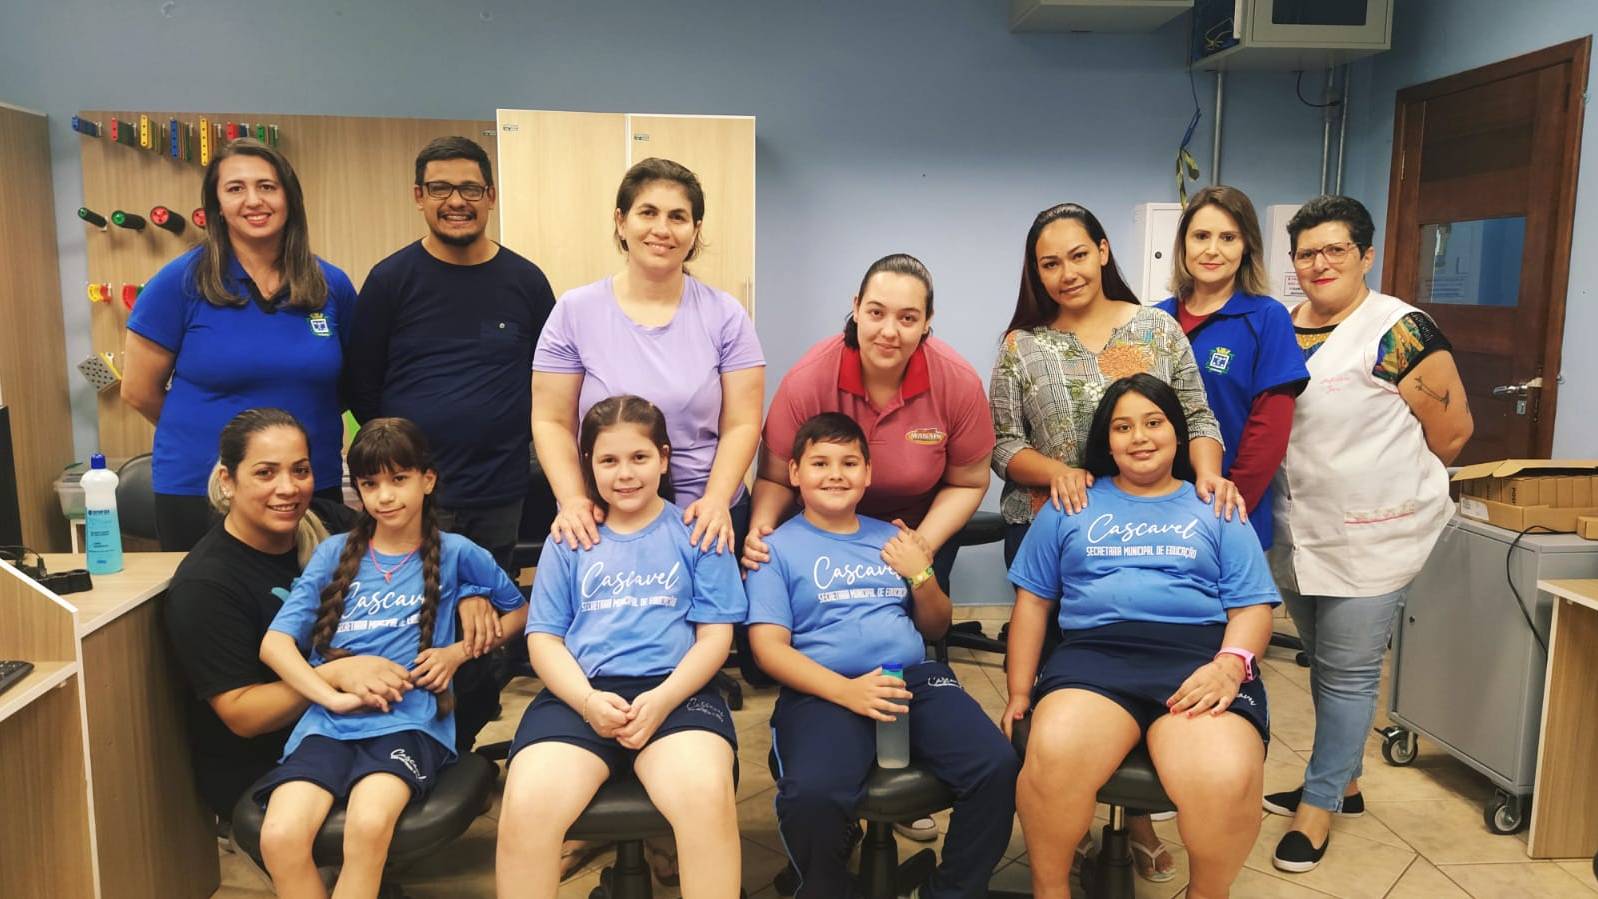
{"x": 1129, "y": 558}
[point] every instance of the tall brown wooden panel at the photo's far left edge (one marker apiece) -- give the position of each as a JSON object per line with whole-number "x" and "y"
{"x": 33, "y": 336}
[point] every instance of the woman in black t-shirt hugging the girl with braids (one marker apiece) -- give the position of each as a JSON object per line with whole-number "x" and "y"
{"x": 225, "y": 596}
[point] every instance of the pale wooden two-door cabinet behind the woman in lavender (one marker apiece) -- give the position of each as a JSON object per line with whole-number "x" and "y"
{"x": 560, "y": 172}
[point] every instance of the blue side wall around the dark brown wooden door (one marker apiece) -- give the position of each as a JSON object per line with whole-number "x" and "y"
{"x": 1434, "y": 39}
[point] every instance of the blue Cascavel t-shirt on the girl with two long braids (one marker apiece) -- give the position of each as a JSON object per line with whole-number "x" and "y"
{"x": 381, "y": 619}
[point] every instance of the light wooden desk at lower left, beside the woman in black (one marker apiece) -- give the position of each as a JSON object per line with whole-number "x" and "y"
{"x": 148, "y": 831}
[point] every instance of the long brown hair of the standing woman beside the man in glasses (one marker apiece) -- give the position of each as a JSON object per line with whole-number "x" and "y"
{"x": 308, "y": 287}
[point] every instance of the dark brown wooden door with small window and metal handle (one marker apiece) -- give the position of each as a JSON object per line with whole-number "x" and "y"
{"x": 1479, "y": 232}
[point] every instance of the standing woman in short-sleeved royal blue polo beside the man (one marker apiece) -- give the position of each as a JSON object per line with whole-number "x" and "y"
{"x": 248, "y": 319}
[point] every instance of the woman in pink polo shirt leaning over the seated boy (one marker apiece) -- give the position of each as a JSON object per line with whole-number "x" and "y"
{"x": 921, "y": 405}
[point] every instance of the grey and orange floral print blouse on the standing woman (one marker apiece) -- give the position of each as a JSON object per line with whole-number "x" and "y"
{"x": 1047, "y": 386}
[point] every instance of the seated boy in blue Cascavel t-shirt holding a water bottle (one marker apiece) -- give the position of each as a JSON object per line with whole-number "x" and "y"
{"x": 841, "y": 598}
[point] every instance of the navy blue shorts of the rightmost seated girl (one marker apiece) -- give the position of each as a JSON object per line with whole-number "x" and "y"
{"x": 1139, "y": 665}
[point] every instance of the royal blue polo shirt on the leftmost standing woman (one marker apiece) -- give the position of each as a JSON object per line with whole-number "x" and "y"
{"x": 236, "y": 358}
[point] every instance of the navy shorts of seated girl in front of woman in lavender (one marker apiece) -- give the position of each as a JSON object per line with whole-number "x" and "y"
{"x": 552, "y": 719}
